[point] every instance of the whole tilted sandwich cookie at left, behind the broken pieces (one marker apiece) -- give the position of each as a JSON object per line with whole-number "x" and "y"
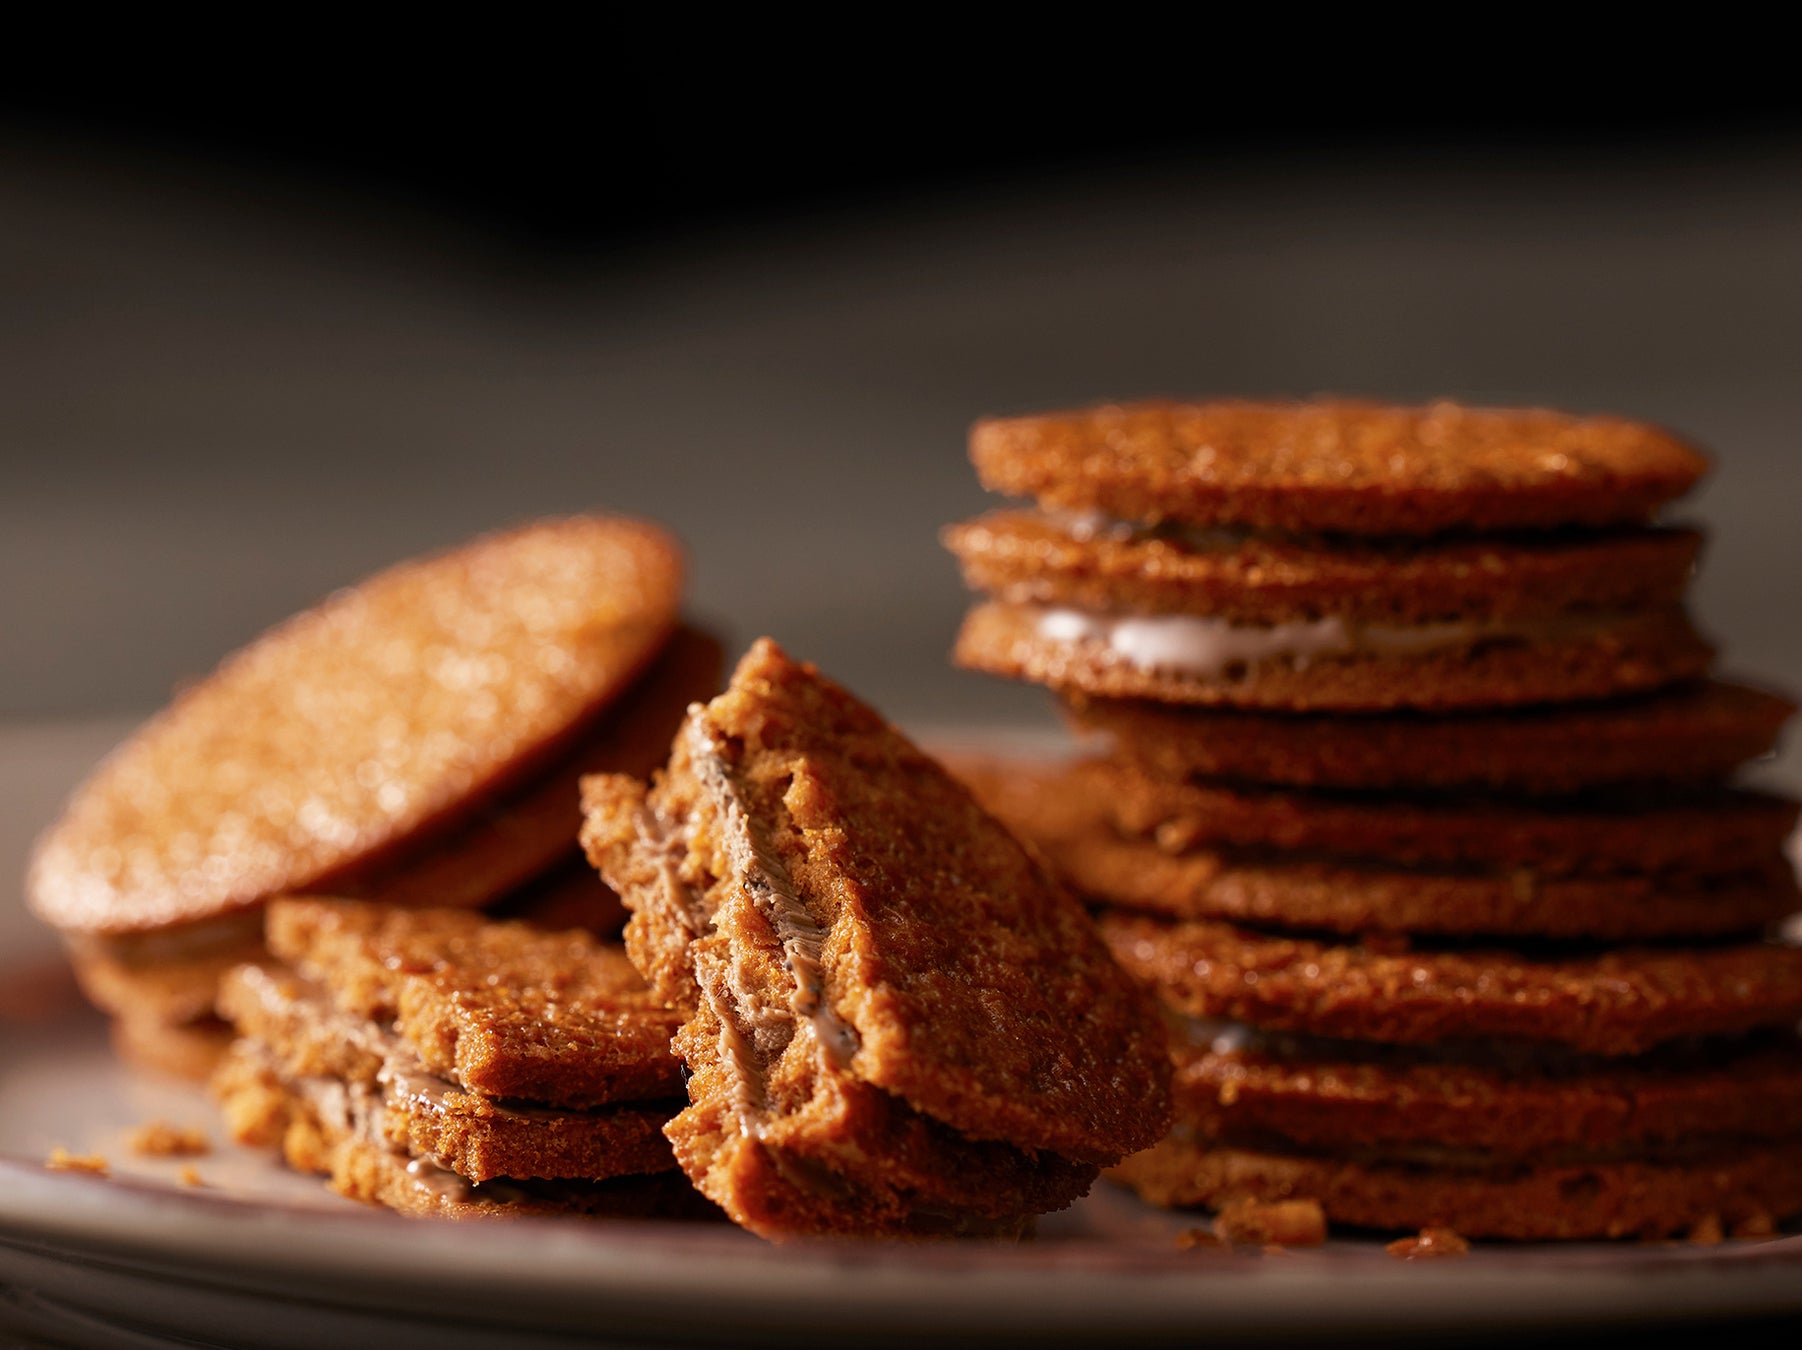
{"x": 414, "y": 740}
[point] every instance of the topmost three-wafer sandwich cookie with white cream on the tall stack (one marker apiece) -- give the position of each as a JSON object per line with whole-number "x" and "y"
{"x": 1333, "y": 558}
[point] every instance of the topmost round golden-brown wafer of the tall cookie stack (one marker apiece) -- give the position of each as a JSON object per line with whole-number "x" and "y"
{"x": 1340, "y": 466}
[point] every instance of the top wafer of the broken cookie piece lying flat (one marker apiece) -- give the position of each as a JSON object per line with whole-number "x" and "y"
{"x": 498, "y": 1008}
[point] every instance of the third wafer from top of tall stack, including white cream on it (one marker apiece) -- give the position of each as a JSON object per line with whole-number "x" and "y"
{"x": 1331, "y": 664}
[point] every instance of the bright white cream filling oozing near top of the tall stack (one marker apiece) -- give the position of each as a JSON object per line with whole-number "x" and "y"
{"x": 1208, "y": 648}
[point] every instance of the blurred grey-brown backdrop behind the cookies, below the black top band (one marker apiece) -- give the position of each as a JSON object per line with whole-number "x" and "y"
{"x": 221, "y": 397}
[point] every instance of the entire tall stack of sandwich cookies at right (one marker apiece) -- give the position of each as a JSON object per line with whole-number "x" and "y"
{"x": 1414, "y": 812}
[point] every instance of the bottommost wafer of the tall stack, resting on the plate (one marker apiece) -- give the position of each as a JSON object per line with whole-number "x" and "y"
{"x": 1529, "y": 1203}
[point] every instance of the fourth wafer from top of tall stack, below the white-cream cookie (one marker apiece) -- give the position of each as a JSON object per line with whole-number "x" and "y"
{"x": 1689, "y": 734}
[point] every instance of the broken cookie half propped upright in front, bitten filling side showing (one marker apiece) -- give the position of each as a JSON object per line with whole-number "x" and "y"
{"x": 896, "y": 1021}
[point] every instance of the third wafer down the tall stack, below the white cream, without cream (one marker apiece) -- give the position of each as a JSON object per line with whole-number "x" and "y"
{"x": 1632, "y": 655}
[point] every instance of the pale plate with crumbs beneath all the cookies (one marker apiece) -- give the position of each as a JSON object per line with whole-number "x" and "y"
{"x": 262, "y": 1257}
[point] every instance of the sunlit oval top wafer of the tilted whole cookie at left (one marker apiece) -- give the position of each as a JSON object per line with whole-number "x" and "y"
{"x": 338, "y": 738}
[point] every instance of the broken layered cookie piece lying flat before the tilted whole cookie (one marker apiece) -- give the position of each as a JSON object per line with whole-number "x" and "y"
{"x": 442, "y": 1064}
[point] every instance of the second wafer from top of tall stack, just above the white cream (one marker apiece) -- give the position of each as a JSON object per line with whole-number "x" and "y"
{"x": 1032, "y": 558}
